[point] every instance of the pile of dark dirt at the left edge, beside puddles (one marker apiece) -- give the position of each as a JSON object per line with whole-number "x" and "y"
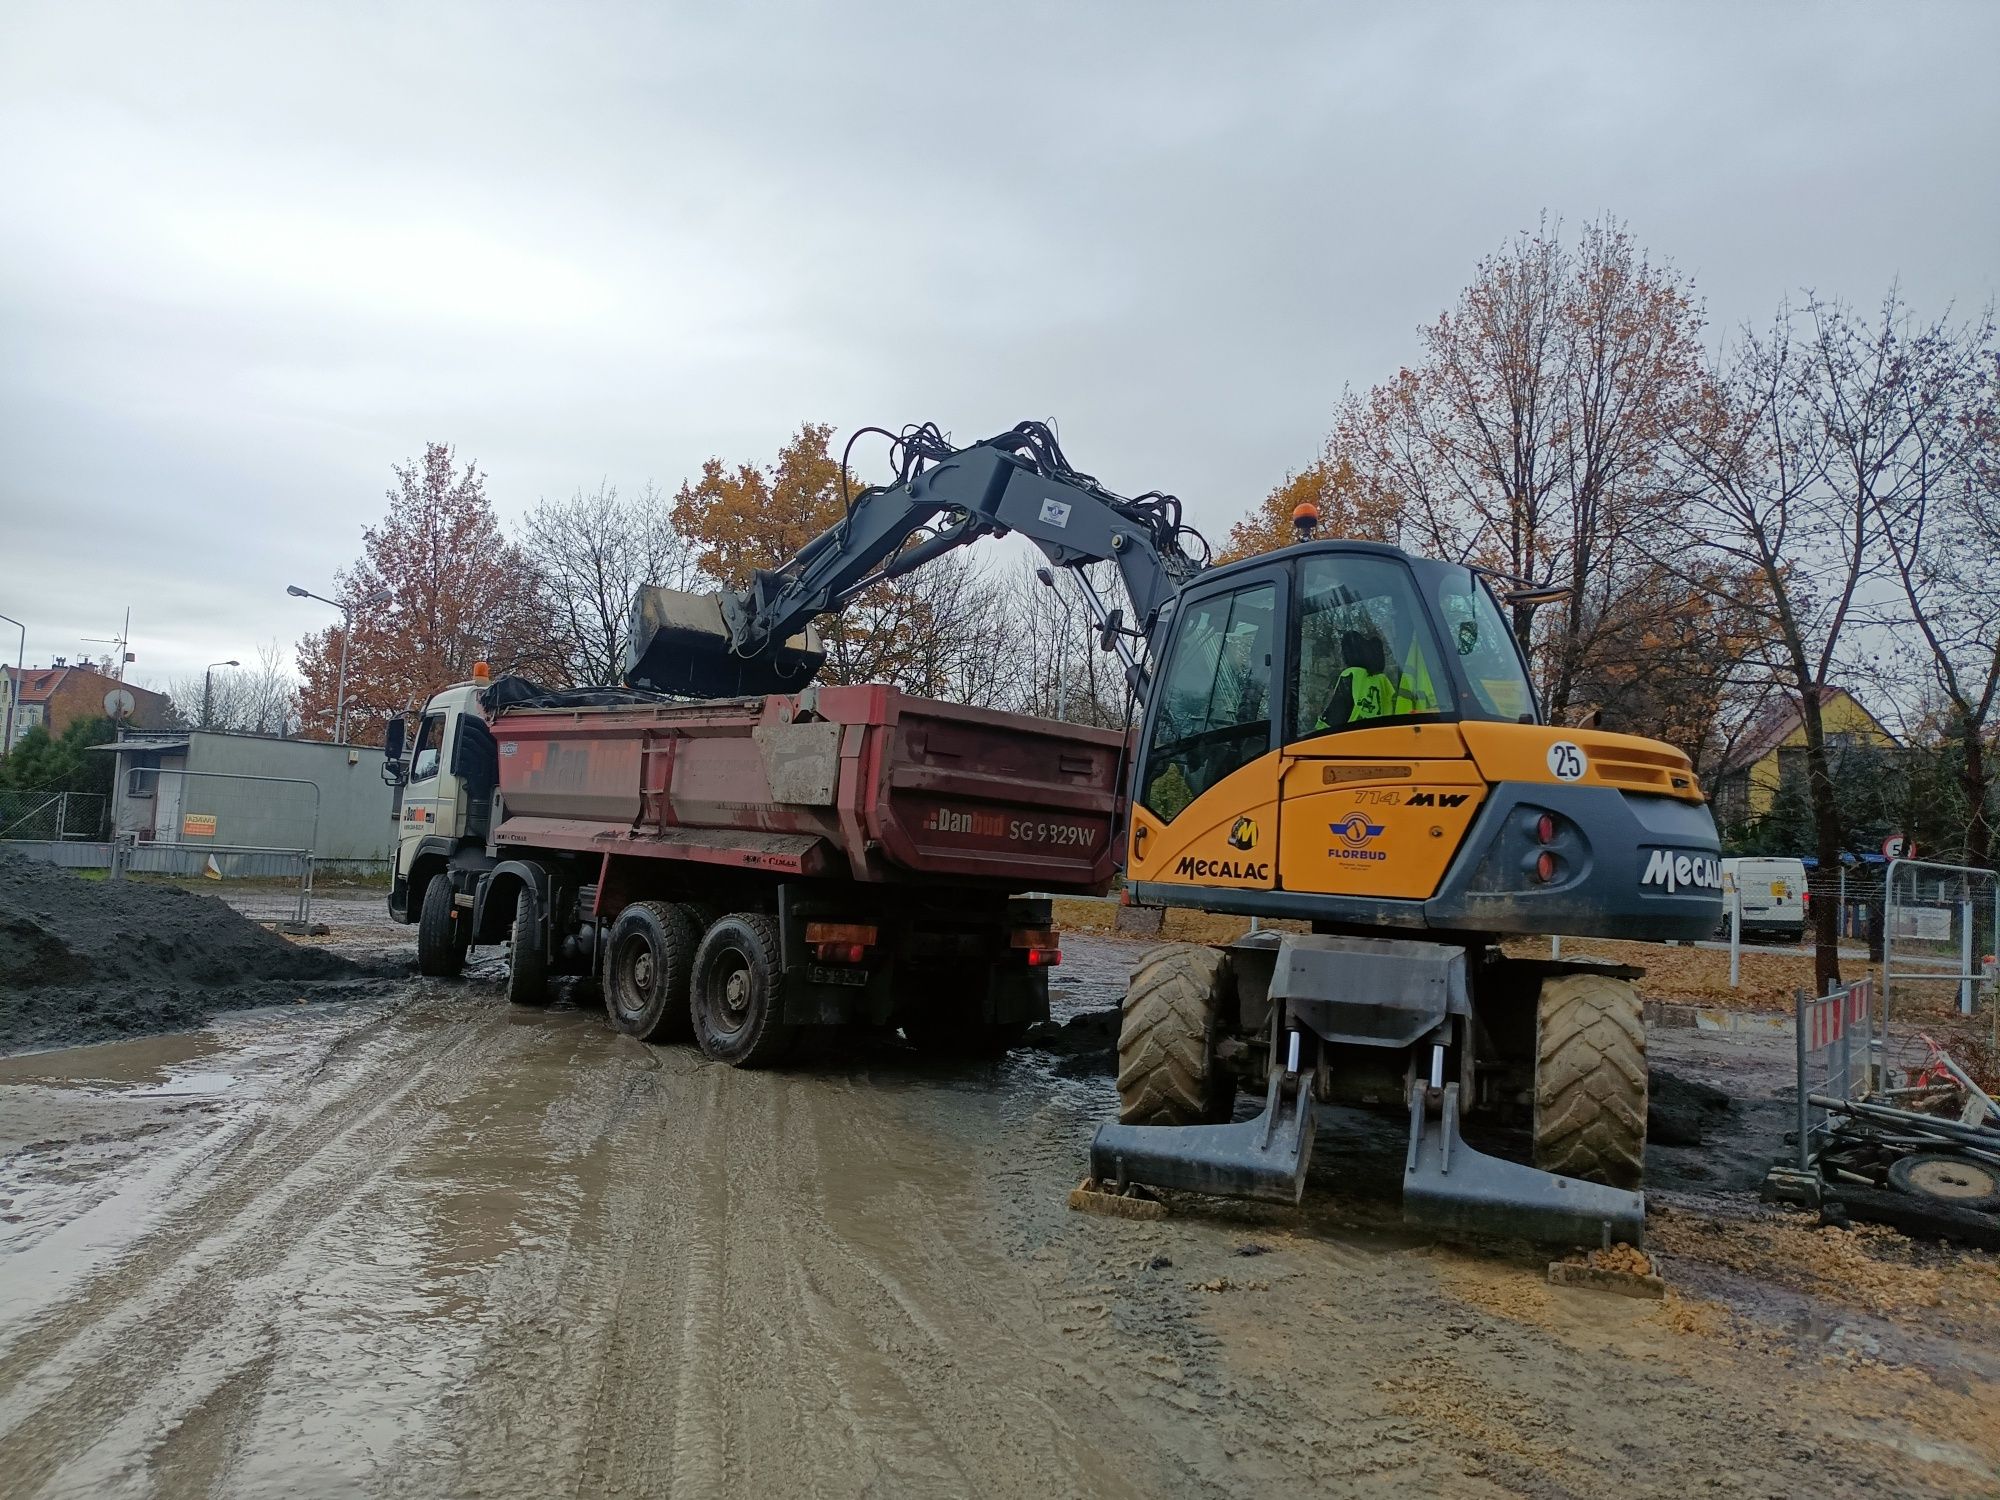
{"x": 91, "y": 959}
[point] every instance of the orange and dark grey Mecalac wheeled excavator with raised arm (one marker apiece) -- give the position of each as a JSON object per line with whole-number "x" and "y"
{"x": 1343, "y": 739}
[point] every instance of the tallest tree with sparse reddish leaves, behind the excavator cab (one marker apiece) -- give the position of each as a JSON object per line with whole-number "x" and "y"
{"x": 1535, "y": 437}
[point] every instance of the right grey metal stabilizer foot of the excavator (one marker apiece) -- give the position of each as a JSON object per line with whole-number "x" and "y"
{"x": 1455, "y": 1189}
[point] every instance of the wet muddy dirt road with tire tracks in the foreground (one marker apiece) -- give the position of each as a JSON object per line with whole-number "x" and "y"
{"x": 437, "y": 1247}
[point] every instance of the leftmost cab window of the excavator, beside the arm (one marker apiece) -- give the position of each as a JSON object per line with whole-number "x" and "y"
{"x": 1215, "y": 699}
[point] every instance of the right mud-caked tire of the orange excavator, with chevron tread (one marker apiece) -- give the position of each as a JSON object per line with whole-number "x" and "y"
{"x": 1591, "y": 1081}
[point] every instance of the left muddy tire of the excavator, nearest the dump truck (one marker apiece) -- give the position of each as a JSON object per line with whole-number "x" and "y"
{"x": 1167, "y": 1039}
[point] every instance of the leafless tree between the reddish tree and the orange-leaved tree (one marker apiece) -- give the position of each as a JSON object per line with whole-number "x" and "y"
{"x": 593, "y": 553}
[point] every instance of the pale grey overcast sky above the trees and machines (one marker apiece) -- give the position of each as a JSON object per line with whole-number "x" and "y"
{"x": 255, "y": 255}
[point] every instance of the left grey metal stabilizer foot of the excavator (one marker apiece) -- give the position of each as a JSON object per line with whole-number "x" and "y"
{"x": 1257, "y": 1159}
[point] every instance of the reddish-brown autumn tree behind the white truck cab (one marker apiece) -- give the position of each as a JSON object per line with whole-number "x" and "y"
{"x": 435, "y": 591}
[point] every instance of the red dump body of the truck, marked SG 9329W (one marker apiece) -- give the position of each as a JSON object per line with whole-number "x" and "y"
{"x": 851, "y": 783}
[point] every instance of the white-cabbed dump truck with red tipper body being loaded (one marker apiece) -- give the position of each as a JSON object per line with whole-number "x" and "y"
{"x": 741, "y": 871}
